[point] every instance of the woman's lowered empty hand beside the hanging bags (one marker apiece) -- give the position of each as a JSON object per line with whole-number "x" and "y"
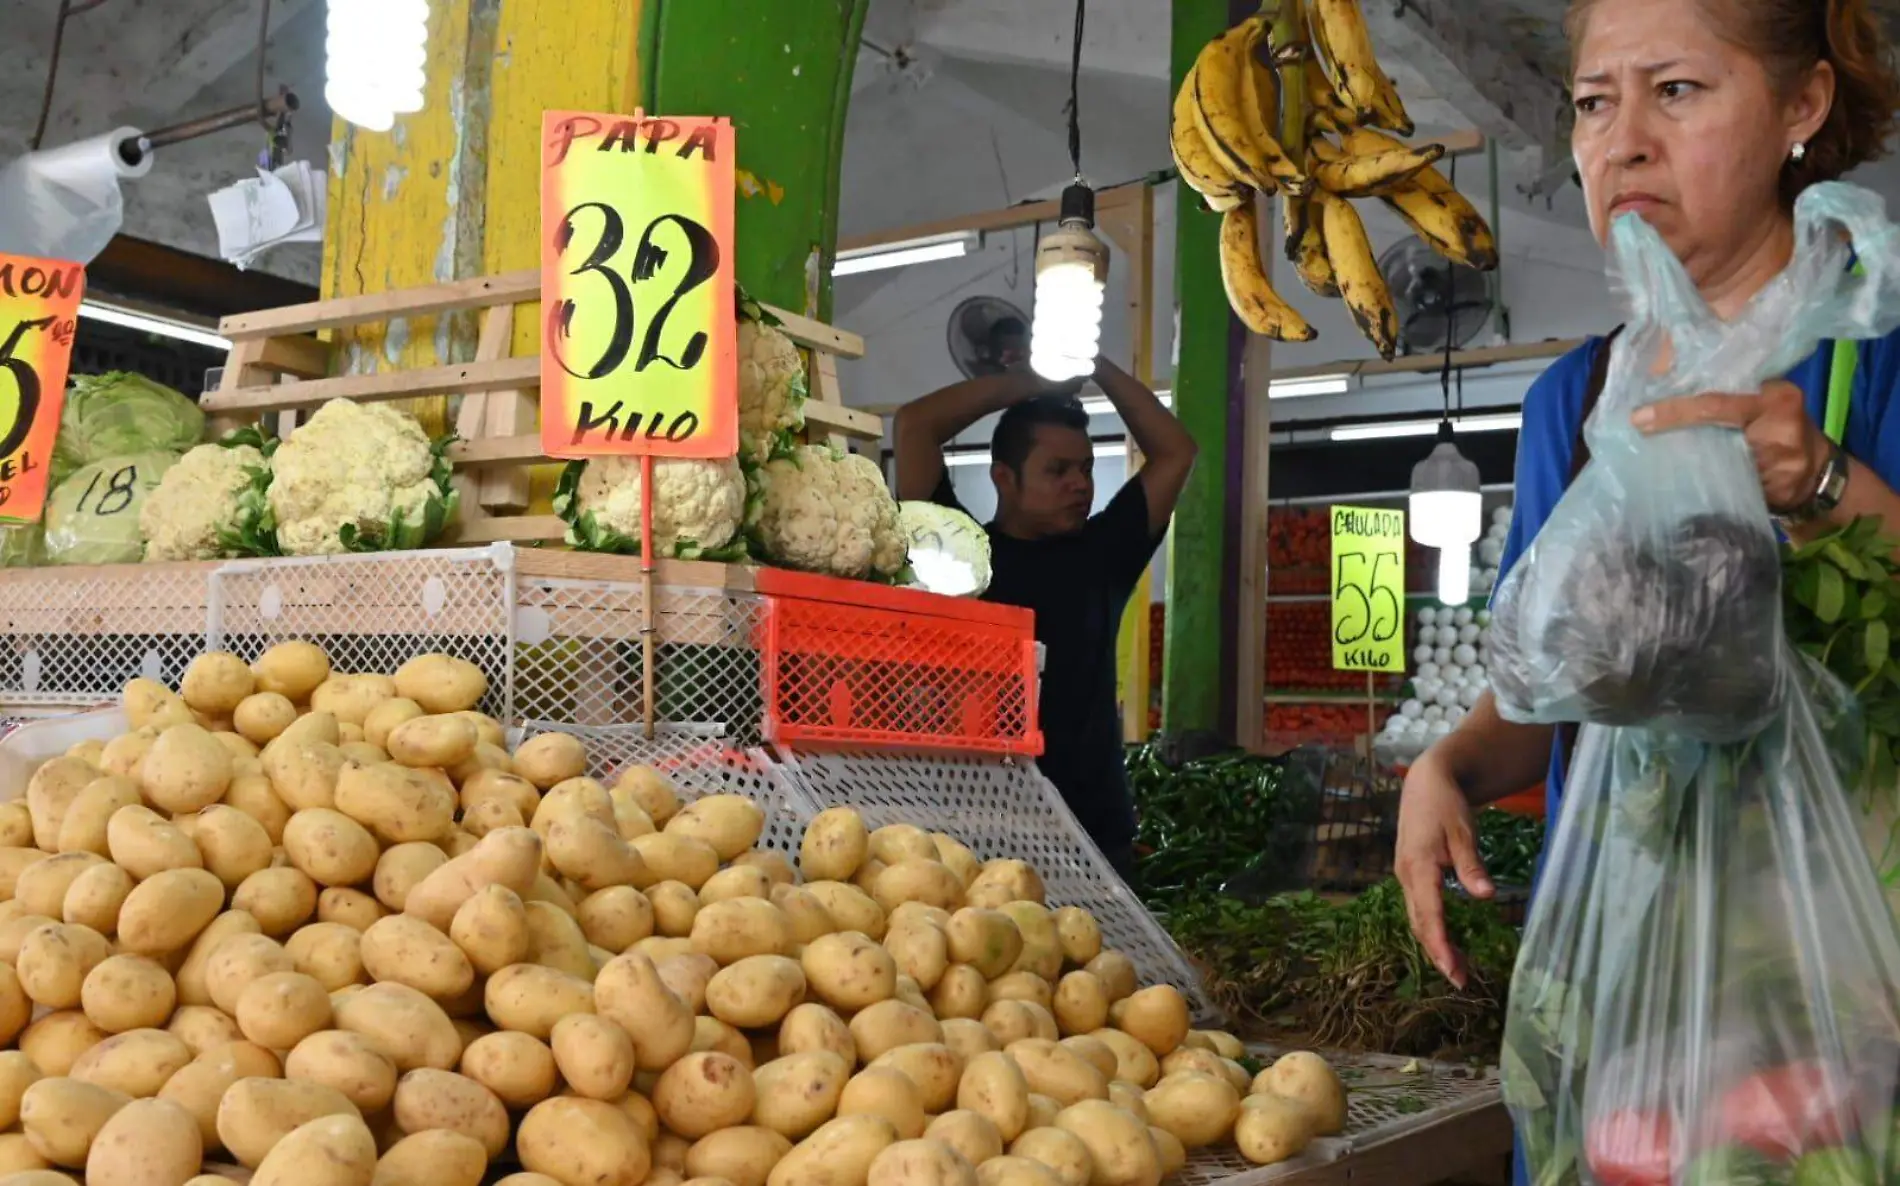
{"x": 1435, "y": 833}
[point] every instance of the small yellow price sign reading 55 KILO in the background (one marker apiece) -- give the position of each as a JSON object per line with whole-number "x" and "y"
{"x": 1369, "y": 590}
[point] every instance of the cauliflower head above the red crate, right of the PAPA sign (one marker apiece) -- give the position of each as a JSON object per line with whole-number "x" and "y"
{"x": 829, "y": 512}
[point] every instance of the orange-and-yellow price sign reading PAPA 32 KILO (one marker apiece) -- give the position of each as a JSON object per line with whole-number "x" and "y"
{"x": 639, "y": 335}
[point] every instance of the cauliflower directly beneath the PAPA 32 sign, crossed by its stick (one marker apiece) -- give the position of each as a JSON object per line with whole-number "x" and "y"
{"x": 698, "y": 507}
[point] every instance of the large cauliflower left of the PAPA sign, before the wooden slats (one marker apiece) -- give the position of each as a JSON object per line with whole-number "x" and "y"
{"x": 360, "y": 476}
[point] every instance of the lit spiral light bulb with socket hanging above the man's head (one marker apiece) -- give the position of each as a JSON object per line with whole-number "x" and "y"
{"x": 1071, "y": 267}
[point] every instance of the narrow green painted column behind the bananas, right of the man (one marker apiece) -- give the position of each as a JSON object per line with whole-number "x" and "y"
{"x": 1196, "y": 636}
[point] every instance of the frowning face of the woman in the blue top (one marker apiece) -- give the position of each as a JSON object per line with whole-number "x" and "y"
{"x": 1684, "y": 128}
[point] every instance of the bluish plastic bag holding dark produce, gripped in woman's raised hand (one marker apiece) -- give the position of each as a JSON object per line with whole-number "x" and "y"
{"x": 1654, "y": 592}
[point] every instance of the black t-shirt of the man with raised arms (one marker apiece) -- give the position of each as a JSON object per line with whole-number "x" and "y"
{"x": 1078, "y": 586}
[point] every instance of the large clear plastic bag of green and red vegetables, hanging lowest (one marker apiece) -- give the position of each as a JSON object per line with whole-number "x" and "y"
{"x": 1709, "y": 985}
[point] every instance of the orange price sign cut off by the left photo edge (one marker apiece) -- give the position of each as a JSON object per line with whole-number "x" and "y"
{"x": 39, "y": 315}
